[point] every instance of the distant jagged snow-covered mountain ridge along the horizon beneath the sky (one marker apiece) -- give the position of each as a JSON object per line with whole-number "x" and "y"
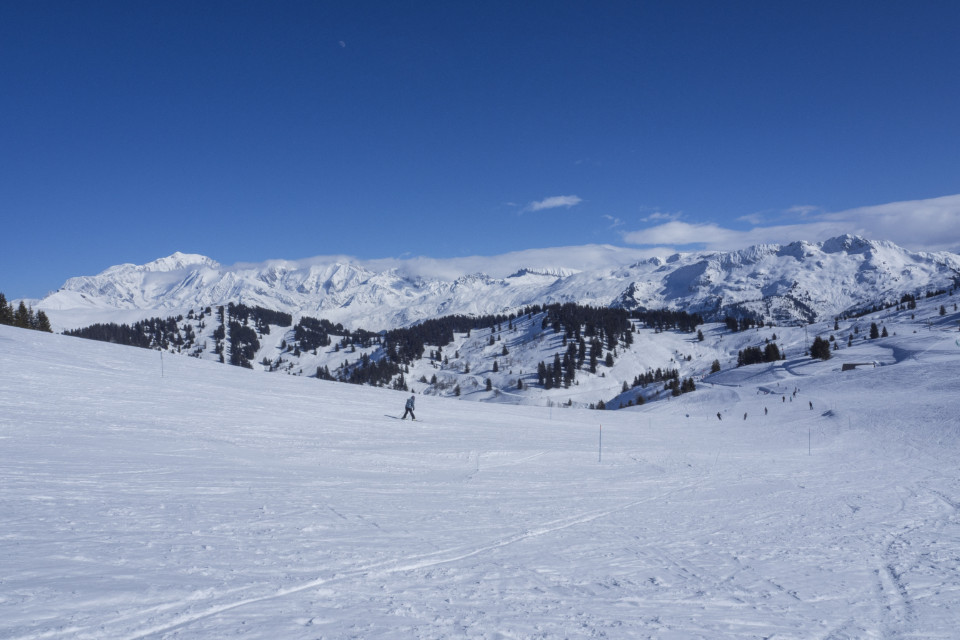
{"x": 796, "y": 283}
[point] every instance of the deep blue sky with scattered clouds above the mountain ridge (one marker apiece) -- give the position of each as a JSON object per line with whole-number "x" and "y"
{"x": 248, "y": 131}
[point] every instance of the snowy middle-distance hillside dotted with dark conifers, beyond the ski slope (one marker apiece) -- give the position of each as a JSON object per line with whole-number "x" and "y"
{"x": 499, "y": 362}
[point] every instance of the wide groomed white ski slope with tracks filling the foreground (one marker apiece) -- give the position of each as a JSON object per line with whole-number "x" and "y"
{"x": 142, "y": 498}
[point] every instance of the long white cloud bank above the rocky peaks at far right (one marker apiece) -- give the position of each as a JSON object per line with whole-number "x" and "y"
{"x": 919, "y": 225}
